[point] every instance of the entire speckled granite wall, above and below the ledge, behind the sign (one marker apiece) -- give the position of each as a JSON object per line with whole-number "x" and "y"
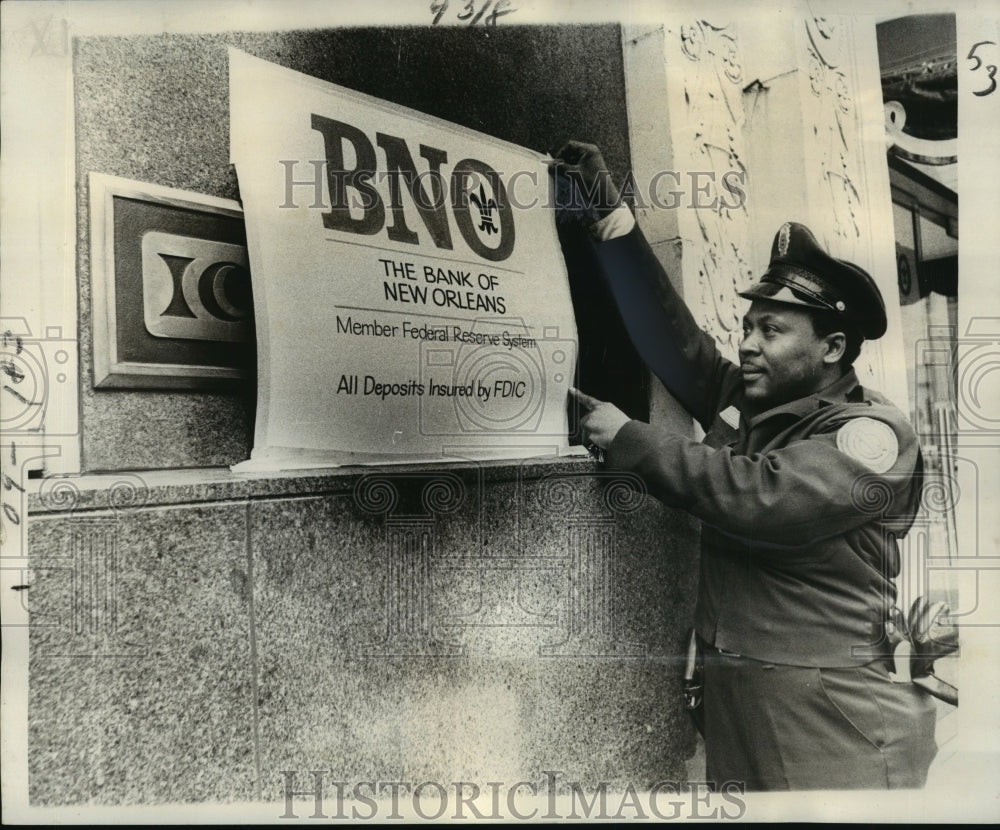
{"x": 194, "y": 635}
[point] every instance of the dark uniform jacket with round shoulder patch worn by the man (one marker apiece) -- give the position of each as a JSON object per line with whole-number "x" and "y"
{"x": 800, "y": 515}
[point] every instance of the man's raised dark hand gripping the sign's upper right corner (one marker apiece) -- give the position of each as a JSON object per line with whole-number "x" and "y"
{"x": 584, "y": 189}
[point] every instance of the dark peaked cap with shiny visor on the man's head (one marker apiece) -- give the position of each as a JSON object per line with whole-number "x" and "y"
{"x": 802, "y": 273}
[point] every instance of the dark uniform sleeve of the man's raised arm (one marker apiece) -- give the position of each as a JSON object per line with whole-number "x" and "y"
{"x": 661, "y": 327}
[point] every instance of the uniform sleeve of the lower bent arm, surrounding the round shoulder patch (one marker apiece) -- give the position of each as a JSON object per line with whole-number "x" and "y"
{"x": 803, "y": 492}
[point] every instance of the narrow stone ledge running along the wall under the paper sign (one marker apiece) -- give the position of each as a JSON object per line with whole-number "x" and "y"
{"x": 59, "y": 495}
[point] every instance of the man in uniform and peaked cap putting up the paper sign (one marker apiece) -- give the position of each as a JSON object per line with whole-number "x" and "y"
{"x": 803, "y": 483}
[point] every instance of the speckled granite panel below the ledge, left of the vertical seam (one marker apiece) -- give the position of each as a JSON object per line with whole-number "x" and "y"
{"x": 140, "y": 683}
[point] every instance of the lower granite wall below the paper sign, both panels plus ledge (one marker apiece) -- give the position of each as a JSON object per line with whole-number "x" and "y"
{"x": 195, "y": 637}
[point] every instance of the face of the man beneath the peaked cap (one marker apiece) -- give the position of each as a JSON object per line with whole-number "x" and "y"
{"x": 780, "y": 355}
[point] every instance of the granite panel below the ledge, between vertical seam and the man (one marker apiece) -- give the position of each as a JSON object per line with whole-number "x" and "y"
{"x": 484, "y": 640}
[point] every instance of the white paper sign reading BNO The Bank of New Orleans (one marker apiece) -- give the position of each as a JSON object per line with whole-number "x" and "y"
{"x": 410, "y": 295}
